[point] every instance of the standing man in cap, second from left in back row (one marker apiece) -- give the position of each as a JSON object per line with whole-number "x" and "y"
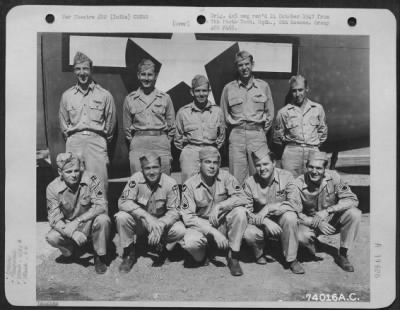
{"x": 148, "y": 119}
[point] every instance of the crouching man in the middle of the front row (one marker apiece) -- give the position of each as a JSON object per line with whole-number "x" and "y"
{"x": 213, "y": 208}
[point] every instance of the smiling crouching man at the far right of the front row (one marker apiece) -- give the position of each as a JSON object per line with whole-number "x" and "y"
{"x": 326, "y": 205}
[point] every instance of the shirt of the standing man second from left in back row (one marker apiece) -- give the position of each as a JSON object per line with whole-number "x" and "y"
{"x": 139, "y": 115}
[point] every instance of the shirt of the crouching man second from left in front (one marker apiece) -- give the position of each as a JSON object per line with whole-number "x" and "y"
{"x": 163, "y": 202}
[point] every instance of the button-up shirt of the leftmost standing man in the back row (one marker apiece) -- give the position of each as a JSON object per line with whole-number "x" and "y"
{"x": 93, "y": 110}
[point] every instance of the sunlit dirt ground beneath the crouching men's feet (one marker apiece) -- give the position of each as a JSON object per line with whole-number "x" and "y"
{"x": 213, "y": 283}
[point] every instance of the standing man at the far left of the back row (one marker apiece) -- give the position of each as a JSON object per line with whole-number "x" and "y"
{"x": 87, "y": 119}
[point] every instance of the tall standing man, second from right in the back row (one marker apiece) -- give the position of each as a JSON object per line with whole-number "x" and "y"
{"x": 248, "y": 110}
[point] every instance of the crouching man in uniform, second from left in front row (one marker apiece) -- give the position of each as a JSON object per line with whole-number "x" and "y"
{"x": 149, "y": 207}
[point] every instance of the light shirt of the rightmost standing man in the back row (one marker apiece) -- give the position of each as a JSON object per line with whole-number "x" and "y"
{"x": 296, "y": 126}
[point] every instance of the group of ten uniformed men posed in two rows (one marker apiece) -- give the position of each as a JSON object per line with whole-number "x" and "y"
{"x": 213, "y": 210}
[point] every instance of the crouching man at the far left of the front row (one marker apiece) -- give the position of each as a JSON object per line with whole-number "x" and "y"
{"x": 77, "y": 211}
